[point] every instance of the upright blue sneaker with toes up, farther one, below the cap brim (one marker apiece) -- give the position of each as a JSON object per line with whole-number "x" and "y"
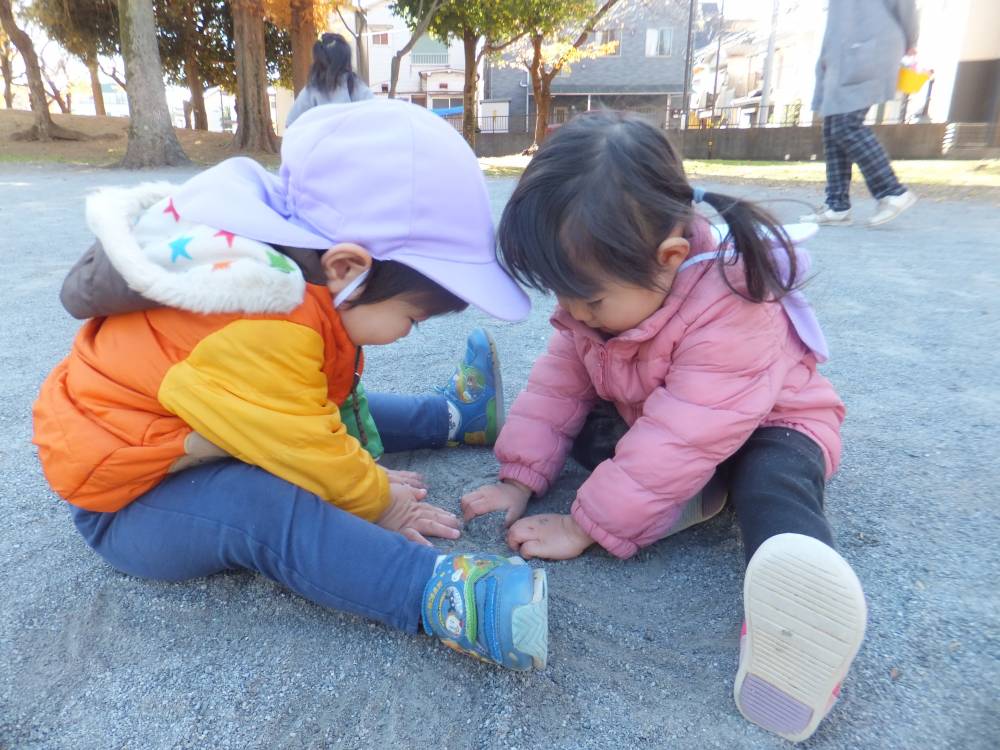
{"x": 476, "y": 392}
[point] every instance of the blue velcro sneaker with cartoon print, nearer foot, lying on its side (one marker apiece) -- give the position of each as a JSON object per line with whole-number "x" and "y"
{"x": 491, "y": 607}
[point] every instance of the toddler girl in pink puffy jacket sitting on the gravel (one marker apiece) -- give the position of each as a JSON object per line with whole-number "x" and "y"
{"x": 682, "y": 372}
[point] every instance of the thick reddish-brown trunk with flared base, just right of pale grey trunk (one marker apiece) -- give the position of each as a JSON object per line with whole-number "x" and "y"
{"x": 253, "y": 109}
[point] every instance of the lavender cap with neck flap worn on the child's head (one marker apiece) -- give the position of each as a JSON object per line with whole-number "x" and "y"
{"x": 387, "y": 175}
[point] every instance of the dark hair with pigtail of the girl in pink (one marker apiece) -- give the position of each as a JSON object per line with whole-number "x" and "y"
{"x": 600, "y": 196}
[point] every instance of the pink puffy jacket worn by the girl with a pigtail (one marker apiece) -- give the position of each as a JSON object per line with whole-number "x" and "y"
{"x": 692, "y": 381}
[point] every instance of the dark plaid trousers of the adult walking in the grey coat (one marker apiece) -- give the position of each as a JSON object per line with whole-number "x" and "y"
{"x": 846, "y": 140}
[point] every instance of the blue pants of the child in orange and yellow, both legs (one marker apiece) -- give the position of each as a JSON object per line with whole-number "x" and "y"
{"x": 228, "y": 515}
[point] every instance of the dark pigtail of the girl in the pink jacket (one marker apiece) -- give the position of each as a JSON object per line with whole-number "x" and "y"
{"x": 756, "y": 237}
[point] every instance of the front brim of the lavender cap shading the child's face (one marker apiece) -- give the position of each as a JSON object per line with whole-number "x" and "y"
{"x": 484, "y": 285}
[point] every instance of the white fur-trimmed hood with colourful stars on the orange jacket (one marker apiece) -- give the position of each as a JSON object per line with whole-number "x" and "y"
{"x": 164, "y": 259}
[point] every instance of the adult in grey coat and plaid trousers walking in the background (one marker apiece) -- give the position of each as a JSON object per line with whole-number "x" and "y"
{"x": 858, "y": 66}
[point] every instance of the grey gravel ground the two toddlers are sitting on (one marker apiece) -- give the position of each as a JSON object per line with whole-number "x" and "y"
{"x": 642, "y": 652}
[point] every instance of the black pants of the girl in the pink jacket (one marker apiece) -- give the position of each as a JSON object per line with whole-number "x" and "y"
{"x": 775, "y": 480}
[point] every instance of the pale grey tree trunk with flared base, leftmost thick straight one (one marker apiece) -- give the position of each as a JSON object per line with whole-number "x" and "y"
{"x": 152, "y": 141}
